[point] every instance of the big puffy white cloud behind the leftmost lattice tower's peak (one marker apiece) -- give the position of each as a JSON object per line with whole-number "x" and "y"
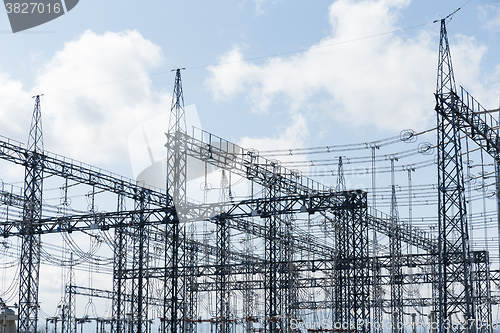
{"x": 90, "y": 124}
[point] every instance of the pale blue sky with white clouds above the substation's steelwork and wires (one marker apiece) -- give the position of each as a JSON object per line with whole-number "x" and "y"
{"x": 363, "y": 70}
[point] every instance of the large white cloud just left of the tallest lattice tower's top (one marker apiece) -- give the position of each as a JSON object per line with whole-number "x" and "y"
{"x": 386, "y": 81}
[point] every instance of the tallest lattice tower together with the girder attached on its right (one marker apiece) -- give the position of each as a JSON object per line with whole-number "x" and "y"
{"x": 463, "y": 283}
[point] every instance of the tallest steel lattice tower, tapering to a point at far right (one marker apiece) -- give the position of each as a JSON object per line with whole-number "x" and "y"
{"x": 454, "y": 284}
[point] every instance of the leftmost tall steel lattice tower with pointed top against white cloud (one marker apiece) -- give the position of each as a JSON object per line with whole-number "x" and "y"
{"x": 32, "y": 212}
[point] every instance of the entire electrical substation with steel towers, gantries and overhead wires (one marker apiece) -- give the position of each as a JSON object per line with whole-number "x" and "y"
{"x": 267, "y": 247}
